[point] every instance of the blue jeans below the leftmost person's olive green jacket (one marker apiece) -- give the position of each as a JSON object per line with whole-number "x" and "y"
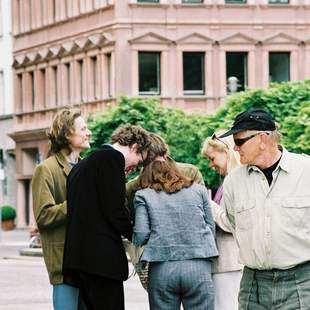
{"x": 65, "y": 297}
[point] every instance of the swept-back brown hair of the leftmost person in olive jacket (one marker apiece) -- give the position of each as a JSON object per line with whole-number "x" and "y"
{"x": 62, "y": 127}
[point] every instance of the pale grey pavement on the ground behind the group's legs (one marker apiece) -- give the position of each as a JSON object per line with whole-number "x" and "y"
{"x": 24, "y": 283}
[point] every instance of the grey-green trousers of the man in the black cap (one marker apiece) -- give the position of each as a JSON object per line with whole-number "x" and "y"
{"x": 275, "y": 289}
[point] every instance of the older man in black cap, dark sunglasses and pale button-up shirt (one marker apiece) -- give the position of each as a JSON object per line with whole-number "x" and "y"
{"x": 267, "y": 202}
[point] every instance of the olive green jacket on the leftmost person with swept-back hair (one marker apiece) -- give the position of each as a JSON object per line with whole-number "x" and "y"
{"x": 50, "y": 211}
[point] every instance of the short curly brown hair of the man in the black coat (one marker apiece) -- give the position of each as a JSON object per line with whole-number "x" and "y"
{"x": 128, "y": 135}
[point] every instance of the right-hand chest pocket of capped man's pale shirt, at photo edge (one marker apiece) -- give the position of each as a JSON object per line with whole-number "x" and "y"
{"x": 296, "y": 211}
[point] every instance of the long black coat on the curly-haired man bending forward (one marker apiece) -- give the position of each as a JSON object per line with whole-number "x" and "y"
{"x": 97, "y": 217}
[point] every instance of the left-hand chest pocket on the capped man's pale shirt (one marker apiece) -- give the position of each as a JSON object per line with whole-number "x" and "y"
{"x": 244, "y": 214}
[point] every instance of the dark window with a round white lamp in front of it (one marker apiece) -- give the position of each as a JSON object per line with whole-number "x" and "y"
{"x": 236, "y": 71}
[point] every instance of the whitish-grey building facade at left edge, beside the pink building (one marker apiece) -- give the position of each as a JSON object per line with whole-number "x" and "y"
{"x": 7, "y": 145}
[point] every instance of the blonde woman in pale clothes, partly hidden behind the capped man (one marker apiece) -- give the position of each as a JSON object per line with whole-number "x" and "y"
{"x": 226, "y": 269}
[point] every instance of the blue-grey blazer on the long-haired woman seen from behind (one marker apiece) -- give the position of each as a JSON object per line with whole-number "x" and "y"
{"x": 176, "y": 226}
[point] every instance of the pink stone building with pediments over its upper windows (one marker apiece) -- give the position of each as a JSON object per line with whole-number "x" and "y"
{"x": 190, "y": 53}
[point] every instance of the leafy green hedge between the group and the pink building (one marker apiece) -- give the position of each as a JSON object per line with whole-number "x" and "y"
{"x": 289, "y": 103}
